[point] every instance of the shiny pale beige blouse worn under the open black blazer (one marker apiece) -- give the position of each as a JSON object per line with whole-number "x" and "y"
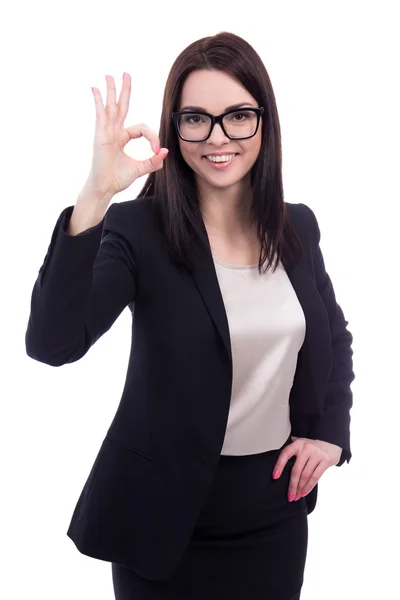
{"x": 267, "y": 329}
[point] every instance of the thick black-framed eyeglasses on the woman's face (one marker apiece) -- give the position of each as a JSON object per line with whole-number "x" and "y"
{"x": 236, "y": 124}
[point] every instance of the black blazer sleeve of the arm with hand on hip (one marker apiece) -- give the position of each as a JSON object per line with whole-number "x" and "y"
{"x": 334, "y": 424}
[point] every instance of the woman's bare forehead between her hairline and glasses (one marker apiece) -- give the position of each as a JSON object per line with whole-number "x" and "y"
{"x": 213, "y": 91}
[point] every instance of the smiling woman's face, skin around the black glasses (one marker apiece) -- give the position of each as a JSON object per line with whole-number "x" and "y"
{"x": 214, "y": 92}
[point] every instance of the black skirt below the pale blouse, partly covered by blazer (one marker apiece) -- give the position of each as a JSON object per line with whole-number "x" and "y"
{"x": 250, "y": 542}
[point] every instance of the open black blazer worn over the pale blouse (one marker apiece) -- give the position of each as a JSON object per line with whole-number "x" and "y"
{"x": 151, "y": 476}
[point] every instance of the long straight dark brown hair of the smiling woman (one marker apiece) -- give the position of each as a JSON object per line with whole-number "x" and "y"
{"x": 173, "y": 187}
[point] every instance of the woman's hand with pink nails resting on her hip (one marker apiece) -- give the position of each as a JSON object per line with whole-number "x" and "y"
{"x": 314, "y": 457}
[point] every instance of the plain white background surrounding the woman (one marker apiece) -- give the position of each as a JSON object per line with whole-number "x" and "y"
{"x": 335, "y": 72}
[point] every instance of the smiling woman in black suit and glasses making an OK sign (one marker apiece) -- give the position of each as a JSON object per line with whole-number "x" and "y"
{"x": 237, "y": 396}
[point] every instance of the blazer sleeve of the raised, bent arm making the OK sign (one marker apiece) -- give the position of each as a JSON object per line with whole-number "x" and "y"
{"x": 83, "y": 285}
